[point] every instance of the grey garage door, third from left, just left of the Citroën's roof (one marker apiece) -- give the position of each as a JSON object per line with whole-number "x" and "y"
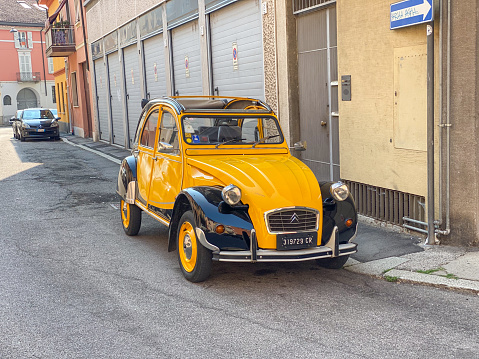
{"x": 133, "y": 88}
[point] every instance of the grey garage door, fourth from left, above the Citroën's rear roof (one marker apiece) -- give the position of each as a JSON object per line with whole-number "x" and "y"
{"x": 154, "y": 53}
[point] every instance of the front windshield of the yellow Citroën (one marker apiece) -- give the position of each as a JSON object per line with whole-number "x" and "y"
{"x": 229, "y": 130}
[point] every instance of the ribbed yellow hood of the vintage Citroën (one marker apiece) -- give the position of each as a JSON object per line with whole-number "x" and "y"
{"x": 267, "y": 182}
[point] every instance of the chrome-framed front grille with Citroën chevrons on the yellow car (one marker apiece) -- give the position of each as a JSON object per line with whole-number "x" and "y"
{"x": 297, "y": 219}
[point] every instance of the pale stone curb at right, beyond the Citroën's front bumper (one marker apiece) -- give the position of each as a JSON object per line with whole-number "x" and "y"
{"x": 385, "y": 269}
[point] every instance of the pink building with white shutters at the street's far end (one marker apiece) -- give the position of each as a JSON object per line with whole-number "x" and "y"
{"x": 26, "y": 74}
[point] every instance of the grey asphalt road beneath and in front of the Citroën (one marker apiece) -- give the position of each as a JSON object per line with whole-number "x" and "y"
{"x": 73, "y": 285}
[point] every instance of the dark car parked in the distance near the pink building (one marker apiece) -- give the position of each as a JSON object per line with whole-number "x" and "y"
{"x": 37, "y": 123}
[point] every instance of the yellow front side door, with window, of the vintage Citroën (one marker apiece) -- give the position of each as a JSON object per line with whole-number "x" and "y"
{"x": 167, "y": 172}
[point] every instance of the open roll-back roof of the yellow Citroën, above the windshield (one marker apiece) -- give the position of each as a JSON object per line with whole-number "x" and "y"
{"x": 185, "y": 104}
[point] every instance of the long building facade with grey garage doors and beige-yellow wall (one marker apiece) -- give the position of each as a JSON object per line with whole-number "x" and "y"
{"x": 337, "y": 75}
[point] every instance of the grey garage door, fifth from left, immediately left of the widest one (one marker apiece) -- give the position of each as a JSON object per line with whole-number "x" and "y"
{"x": 186, "y": 59}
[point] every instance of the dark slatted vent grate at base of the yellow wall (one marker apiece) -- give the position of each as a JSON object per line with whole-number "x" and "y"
{"x": 386, "y": 204}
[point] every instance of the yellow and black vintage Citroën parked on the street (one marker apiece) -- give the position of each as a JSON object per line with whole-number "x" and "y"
{"x": 219, "y": 174}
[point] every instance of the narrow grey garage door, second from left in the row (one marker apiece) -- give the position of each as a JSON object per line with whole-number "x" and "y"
{"x": 114, "y": 76}
